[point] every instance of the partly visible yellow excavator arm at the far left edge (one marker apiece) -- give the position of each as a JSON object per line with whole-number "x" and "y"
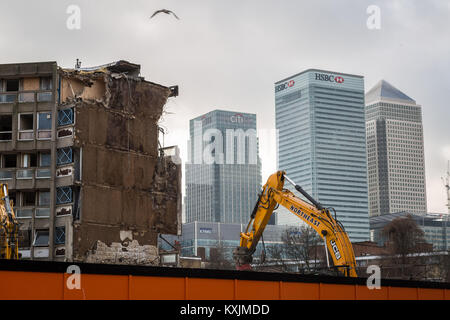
{"x": 9, "y": 227}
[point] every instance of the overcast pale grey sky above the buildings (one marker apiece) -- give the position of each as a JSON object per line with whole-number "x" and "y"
{"x": 228, "y": 54}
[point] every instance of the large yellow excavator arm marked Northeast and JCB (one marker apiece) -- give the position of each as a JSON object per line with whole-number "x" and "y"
{"x": 336, "y": 240}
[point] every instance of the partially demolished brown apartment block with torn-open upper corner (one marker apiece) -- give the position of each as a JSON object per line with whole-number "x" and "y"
{"x": 79, "y": 152}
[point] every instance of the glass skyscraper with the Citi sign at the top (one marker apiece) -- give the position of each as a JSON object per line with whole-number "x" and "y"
{"x": 223, "y": 175}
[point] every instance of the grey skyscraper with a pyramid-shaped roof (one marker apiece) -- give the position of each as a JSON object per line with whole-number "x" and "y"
{"x": 395, "y": 151}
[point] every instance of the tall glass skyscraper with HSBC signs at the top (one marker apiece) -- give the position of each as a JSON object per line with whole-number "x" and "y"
{"x": 320, "y": 120}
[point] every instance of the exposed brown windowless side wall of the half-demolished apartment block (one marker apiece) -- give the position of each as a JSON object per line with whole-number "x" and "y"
{"x": 125, "y": 185}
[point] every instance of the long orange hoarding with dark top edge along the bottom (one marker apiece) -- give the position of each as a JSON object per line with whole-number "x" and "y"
{"x": 118, "y": 282}
